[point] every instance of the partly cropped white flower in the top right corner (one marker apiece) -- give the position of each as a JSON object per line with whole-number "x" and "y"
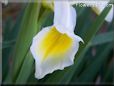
{"x": 98, "y": 7}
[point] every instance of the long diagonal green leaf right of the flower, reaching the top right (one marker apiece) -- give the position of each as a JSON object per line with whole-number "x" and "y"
{"x": 88, "y": 36}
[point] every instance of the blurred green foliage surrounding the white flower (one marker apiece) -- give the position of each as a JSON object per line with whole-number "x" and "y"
{"x": 93, "y": 60}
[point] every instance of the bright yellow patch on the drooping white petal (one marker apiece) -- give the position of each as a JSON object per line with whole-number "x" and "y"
{"x": 55, "y": 43}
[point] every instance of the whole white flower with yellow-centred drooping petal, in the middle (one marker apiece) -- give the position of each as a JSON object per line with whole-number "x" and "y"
{"x": 54, "y": 47}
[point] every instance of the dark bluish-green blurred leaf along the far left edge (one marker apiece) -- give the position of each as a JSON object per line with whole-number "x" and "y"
{"x": 10, "y": 31}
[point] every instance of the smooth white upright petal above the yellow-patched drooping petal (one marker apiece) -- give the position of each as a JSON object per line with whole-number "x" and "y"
{"x": 64, "y": 16}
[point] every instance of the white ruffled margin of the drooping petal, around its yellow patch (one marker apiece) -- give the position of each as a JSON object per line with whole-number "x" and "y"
{"x": 53, "y": 62}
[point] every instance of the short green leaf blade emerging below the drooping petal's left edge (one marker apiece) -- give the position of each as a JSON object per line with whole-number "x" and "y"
{"x": 25, "y": 70}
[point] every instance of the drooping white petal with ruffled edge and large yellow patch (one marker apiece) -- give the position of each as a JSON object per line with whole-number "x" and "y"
{"x": 53, "y": 50}
